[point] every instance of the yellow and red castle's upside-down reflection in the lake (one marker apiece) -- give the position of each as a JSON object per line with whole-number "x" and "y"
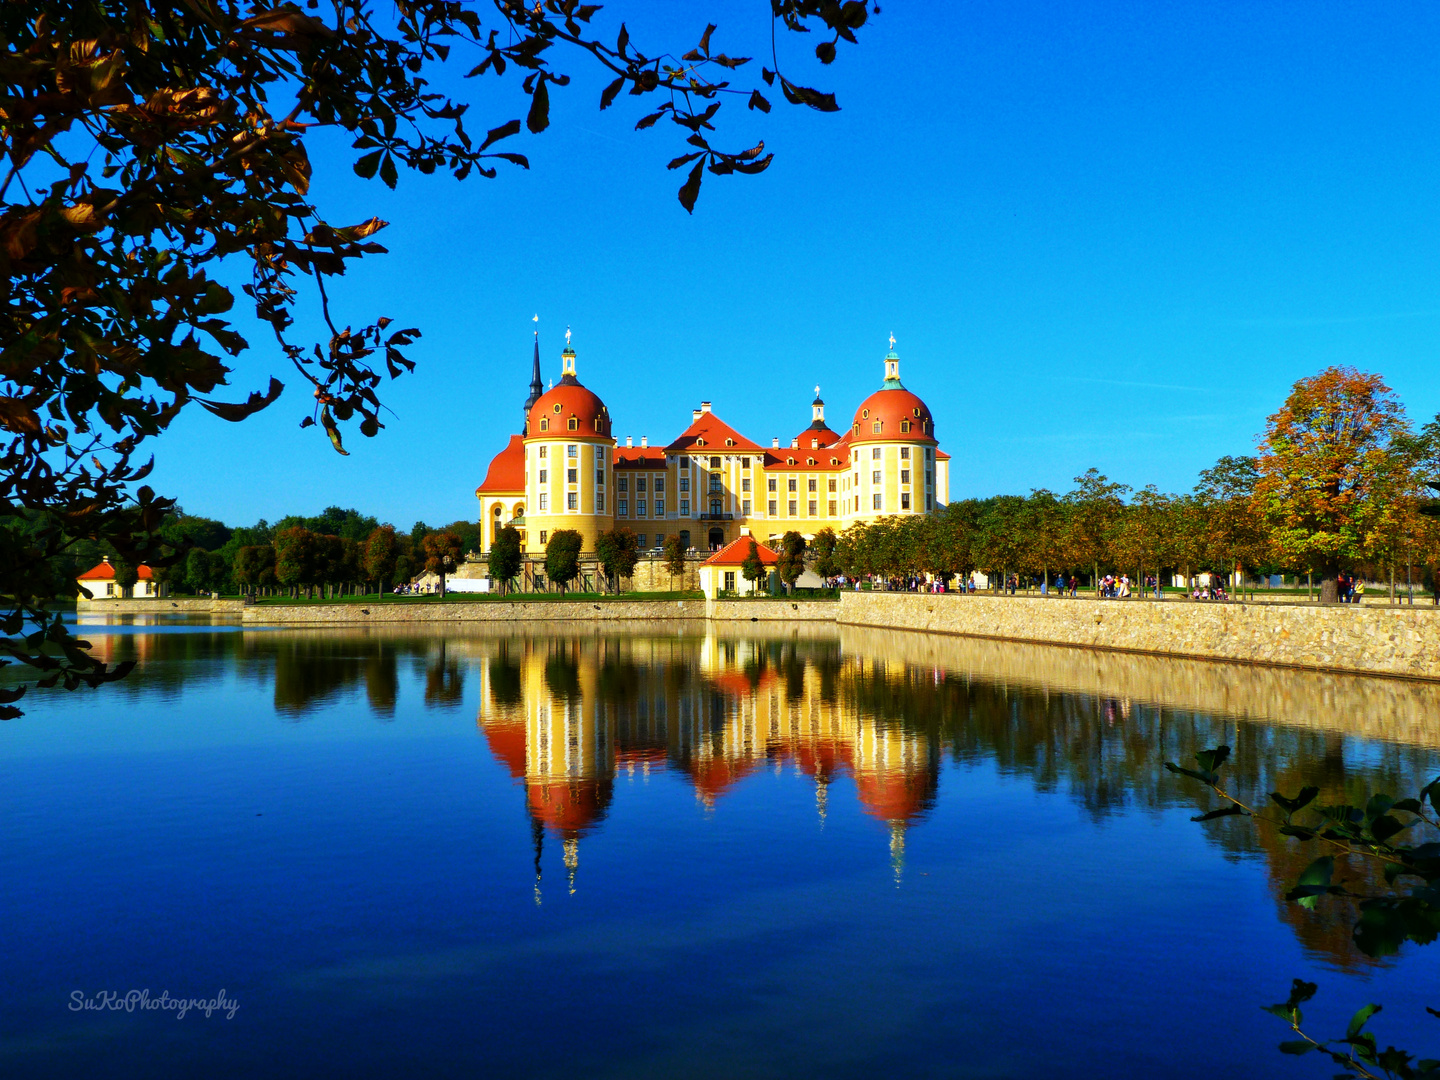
{"x": 567, "y": 716}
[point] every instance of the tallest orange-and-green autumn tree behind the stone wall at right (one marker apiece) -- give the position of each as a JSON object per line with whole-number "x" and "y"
{"x": 1331, "y": 466}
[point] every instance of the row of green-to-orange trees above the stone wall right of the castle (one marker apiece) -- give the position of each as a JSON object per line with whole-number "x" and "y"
{"x": 1341, "y": 485}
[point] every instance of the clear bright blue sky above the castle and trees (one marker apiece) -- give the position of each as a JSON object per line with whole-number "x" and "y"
{"x": 1104, "y": 235}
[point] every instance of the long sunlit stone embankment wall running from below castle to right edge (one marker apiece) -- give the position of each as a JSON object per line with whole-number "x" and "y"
{"x": 1376, "y": 642}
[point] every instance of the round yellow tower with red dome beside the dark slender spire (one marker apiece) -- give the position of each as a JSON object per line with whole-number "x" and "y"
{"x": 570, "y": 451}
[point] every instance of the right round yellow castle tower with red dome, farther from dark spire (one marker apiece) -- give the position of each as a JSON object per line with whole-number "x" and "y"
{"x": 892, "y": 453}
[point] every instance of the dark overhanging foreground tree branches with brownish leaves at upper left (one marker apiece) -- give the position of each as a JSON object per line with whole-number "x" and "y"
{"x": 143, "y": 153}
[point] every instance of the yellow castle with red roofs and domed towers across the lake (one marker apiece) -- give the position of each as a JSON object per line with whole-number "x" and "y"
{"x": 711, "y": 485}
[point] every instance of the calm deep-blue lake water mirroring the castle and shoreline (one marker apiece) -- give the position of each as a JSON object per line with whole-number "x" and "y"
{"x": 678, "y": 855}
